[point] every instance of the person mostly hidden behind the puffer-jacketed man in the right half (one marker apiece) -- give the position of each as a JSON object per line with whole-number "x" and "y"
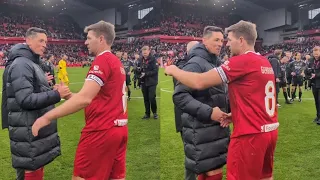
{"x": 189, "y": 175}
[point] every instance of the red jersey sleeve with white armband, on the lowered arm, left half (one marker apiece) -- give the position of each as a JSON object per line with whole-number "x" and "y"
{"x": 99, "y": 71}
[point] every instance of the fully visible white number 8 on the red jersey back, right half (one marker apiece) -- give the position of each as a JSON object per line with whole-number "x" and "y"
{"x": 270, "y": 100}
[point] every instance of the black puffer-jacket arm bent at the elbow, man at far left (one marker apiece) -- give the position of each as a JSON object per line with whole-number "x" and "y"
{"x": 22, "y": 83}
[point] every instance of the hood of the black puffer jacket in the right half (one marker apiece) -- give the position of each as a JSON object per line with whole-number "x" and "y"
{"x": 200, "y": 50}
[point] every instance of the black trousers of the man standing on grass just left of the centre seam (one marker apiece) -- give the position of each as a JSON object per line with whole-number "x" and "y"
{"x": 149, "y": 96}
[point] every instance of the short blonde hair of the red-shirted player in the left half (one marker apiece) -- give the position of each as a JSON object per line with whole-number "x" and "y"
{"x": 103, "y": 28}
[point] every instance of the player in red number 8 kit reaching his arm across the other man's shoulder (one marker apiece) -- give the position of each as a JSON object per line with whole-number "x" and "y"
{"x": 252, "y": 96}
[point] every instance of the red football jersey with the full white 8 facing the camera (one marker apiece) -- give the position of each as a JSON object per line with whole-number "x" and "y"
{"x": 252, "y": 93}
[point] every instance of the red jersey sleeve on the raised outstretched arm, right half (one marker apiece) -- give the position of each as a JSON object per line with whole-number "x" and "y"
{"x": 233, "y": 69}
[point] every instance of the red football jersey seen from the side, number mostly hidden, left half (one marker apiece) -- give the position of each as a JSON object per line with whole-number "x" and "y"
{"x": 110, "y": 103}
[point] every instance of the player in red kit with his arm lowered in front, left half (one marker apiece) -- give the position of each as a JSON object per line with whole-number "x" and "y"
{"x": 102, "y": 148}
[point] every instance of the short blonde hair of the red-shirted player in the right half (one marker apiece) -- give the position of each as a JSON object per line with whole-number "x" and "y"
{"x": 244, "y": 29}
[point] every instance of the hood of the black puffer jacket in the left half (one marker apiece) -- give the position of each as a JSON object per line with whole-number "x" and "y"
{"x": 22, "y": 50}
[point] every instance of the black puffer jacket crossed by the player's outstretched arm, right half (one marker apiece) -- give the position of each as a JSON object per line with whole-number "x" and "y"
{"x": 206, "y": 142}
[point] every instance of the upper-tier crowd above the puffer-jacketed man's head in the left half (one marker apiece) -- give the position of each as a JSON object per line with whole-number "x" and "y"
{"x": 59, "y": 27}
